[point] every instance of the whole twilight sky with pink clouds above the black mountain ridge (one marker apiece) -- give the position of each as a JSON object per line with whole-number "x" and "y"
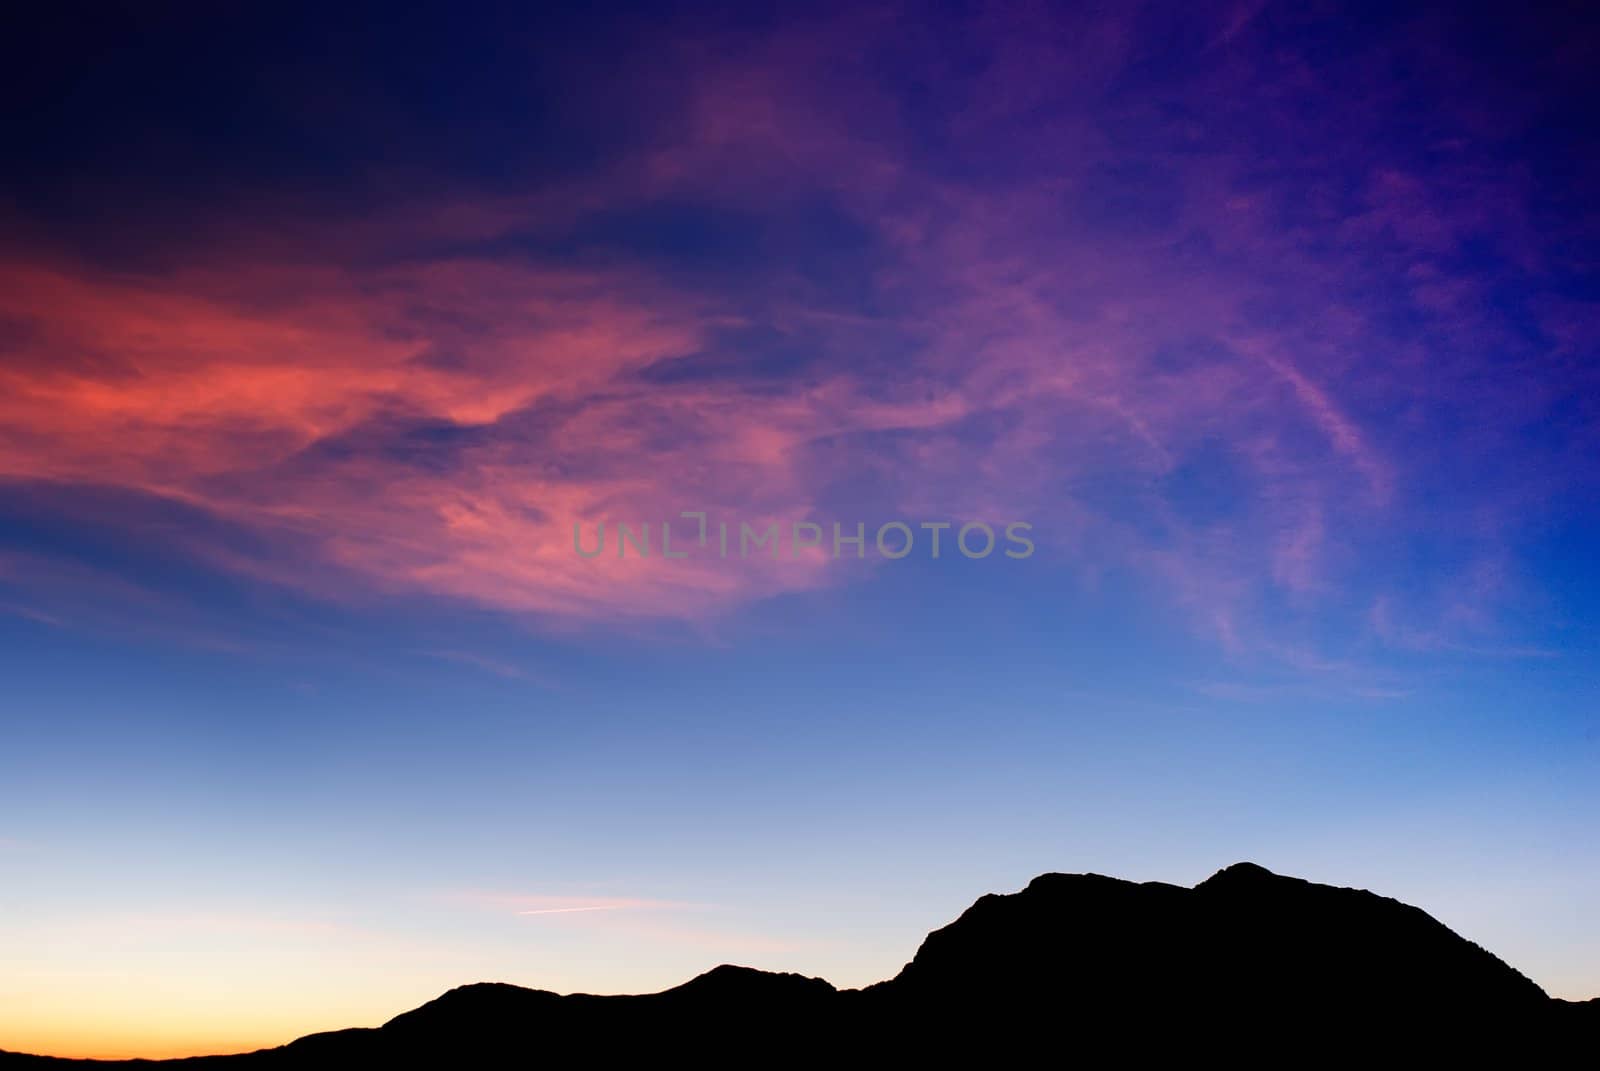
{"x": 332, "y": 339}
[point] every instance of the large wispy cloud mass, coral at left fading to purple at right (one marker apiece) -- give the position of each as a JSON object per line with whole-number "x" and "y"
{"x": 1198, "y": 348}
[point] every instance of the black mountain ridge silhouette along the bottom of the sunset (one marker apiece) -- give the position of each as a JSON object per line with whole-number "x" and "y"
{"x": 1249, "y": 966}
